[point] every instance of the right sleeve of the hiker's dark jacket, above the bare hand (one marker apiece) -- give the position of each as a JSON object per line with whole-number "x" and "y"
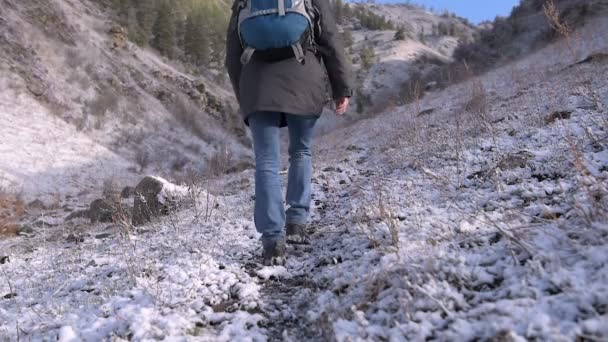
{"x": 331, "y": 48}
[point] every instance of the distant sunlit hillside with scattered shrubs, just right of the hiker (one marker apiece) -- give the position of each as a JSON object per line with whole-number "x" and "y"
{"x": 384, "y": 66}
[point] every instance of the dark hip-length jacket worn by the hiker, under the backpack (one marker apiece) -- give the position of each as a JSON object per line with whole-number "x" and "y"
{"x": 288, "y": 86}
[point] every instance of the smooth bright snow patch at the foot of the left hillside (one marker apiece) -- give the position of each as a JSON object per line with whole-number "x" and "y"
{"x": 45, "y": 156}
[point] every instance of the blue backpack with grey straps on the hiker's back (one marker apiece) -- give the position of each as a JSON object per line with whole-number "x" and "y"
{"x": 274, "y": 30}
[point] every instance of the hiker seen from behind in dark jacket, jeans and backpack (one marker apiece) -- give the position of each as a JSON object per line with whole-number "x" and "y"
{"x": 279, "y": 55}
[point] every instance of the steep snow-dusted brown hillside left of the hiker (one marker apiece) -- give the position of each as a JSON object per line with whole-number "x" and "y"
{"x": 72, "y": 83}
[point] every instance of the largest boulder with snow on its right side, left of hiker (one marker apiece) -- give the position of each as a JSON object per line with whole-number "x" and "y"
{"x": 155, "y": 197}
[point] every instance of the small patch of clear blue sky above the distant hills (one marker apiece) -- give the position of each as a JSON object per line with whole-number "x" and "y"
{"x": 474, "y": 10}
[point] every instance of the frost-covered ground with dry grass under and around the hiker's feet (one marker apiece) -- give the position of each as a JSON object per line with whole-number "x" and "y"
{"x": 485, "y": 219}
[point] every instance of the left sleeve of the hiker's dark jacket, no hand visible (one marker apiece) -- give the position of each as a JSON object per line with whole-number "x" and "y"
{"x": 234, "y": 51}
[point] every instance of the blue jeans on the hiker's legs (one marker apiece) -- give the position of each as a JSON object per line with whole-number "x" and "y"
{"x": 270, "y": 215}
